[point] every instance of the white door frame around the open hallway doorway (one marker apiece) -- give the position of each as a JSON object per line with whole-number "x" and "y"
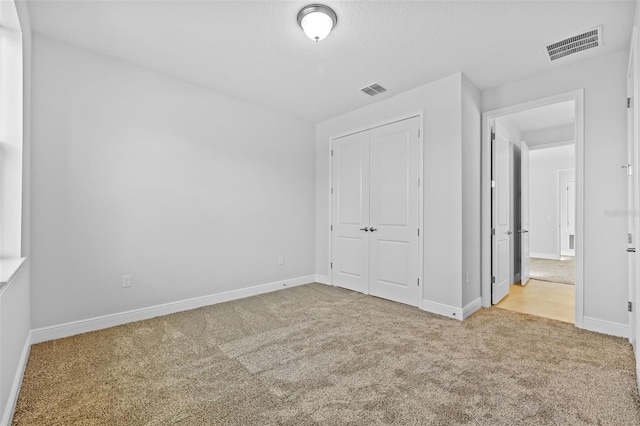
{"x": 487, "y": 117}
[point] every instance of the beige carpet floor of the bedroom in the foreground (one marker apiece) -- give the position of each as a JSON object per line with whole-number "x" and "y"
{"x": 321, "y": 355}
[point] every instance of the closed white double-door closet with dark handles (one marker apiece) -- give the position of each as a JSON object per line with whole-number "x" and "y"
{"x": 375, "y": 211}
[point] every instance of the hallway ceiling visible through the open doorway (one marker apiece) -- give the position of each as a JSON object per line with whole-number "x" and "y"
{"x": 545, "y": 117}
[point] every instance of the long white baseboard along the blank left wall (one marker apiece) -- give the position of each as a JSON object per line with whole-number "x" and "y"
{"x": 98, "y": 323}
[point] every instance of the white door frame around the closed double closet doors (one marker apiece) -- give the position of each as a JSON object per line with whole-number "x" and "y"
{"x": 420, "y": 115}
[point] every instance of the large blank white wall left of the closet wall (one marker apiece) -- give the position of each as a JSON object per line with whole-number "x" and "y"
{"x": 191, "y": 192}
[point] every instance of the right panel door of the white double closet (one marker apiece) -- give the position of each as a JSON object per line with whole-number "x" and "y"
{"x": 394, "y": 222}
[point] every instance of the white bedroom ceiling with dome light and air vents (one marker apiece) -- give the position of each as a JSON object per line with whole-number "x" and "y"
{"x": 255, "y": 50}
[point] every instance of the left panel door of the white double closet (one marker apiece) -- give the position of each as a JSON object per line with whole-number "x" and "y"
{"x": 350, "y": 213}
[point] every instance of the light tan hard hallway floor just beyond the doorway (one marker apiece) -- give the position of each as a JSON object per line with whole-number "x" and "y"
{"x": 542, "y": 298}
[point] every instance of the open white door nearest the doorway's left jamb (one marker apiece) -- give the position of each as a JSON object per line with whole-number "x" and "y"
{"x": 501, "y": 238}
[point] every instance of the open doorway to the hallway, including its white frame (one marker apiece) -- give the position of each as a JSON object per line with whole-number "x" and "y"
{"x": 532, "y": 208}
